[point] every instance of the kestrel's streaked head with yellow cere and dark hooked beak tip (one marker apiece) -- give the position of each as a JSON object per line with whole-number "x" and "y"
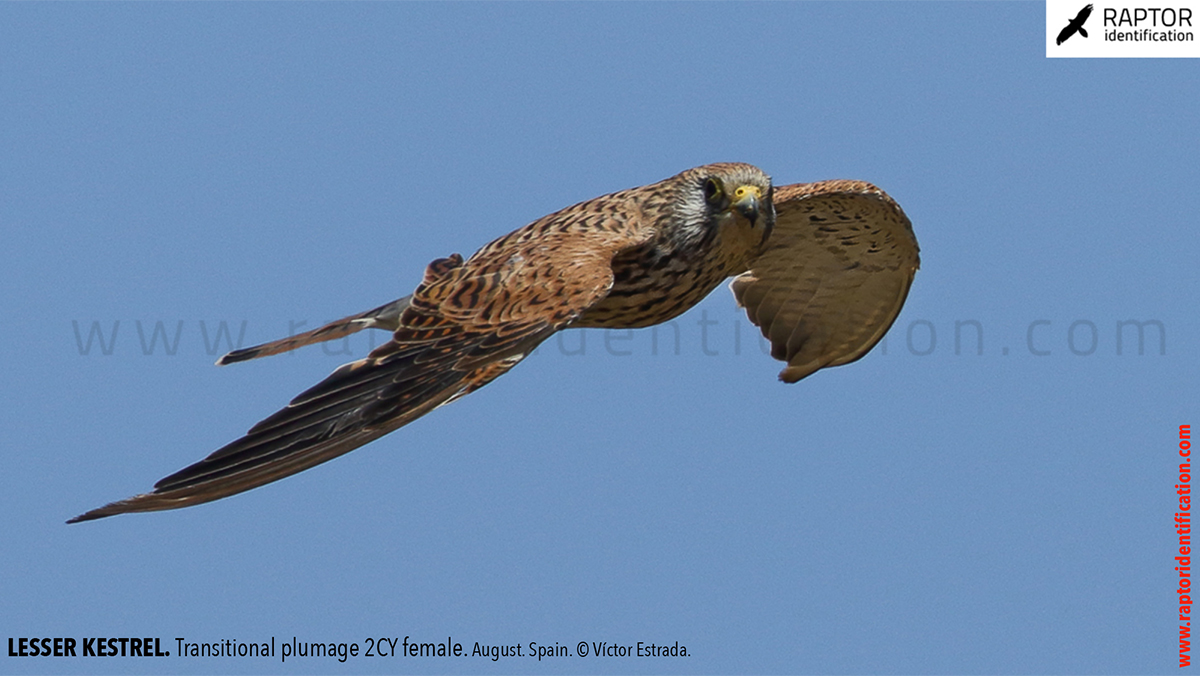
{"x": 730, "y": 201}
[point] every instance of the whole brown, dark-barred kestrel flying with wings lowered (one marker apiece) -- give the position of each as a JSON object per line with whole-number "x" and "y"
{"x": 821, "y": 268}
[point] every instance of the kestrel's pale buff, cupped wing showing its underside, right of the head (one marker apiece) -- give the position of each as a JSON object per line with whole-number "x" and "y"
{"x": 833, "y": 277}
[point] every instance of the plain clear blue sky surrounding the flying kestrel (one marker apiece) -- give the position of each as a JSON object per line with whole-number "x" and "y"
{"x": 928, "y": 510}
